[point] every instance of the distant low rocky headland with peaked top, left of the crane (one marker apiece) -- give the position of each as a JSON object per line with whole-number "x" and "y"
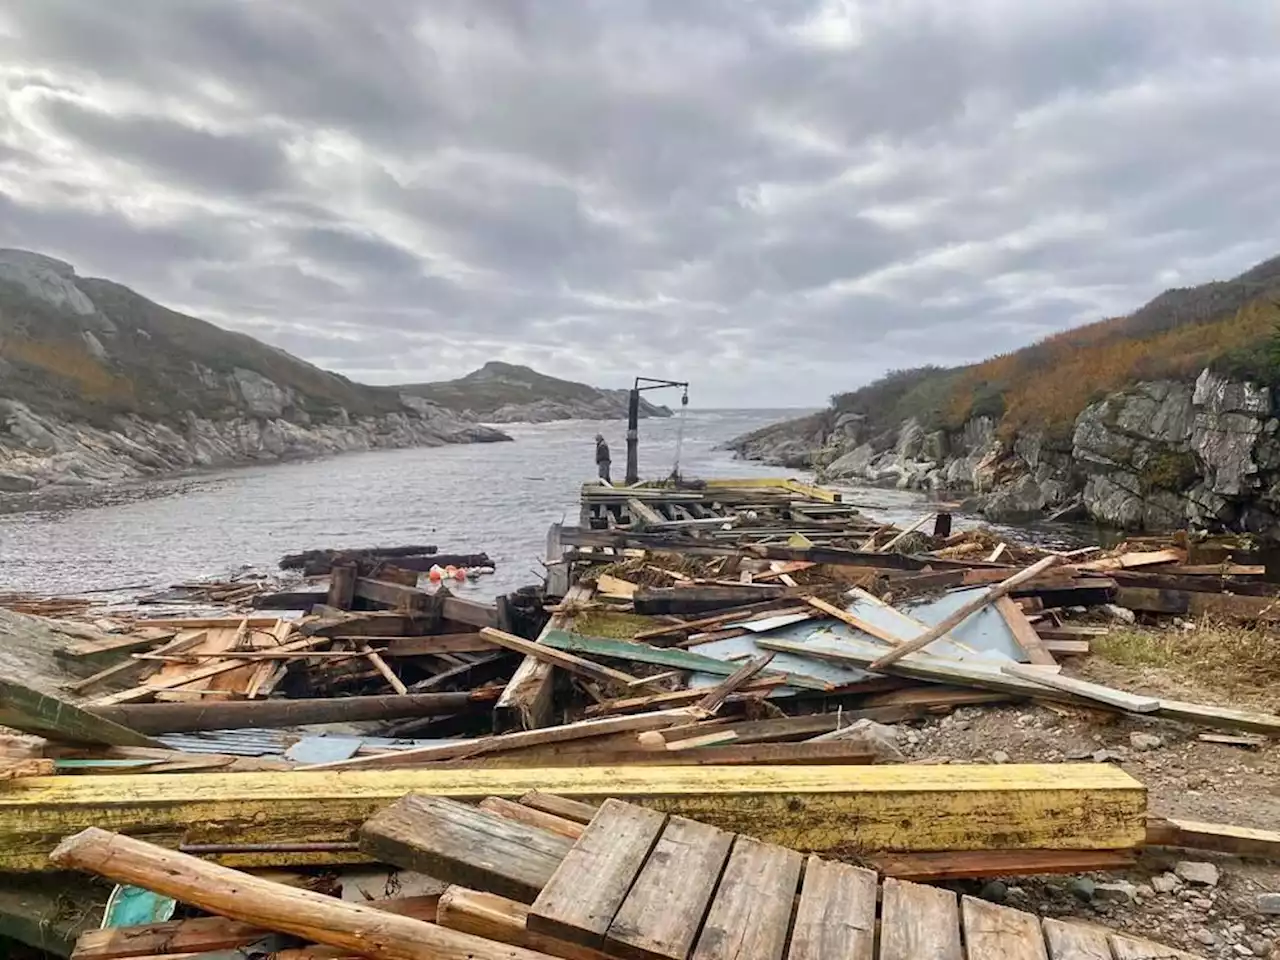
{"x": 506, "y": 394}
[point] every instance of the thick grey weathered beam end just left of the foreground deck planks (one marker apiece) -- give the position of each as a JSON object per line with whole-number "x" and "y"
{"x": 463, "y": 844}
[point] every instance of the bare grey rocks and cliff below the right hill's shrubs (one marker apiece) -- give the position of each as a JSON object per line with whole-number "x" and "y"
{"x": 1162, "y": 455}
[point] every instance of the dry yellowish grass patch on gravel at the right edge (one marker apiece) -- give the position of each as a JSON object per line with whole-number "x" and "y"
{"x": 1214, "y": 655}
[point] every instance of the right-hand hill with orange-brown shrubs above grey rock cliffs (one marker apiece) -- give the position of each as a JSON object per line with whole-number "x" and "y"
{"x": 1160, "y": 419}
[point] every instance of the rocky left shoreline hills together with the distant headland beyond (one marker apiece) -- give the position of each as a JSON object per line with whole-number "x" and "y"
{"x": 100, "y": 385}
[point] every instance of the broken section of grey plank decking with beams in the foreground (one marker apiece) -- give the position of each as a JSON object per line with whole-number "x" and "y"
{"x": 630, "y": 883}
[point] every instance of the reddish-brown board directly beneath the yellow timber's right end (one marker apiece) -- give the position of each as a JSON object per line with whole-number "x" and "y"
{"x": 947, "y": 866}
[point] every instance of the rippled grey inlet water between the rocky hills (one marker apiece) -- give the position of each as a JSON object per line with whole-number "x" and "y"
{"x": 496, "y": 499}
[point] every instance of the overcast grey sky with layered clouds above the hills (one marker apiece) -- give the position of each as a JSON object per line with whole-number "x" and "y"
{"x": 775, "y": 200}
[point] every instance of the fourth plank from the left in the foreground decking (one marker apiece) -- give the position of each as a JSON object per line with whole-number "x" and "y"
{"x": 836, "y": 917}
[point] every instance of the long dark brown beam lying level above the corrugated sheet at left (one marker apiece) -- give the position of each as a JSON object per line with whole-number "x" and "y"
{"x": 232, "y": 715}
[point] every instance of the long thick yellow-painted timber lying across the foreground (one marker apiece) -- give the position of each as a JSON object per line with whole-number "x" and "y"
{"x": 892, "y": 808}
